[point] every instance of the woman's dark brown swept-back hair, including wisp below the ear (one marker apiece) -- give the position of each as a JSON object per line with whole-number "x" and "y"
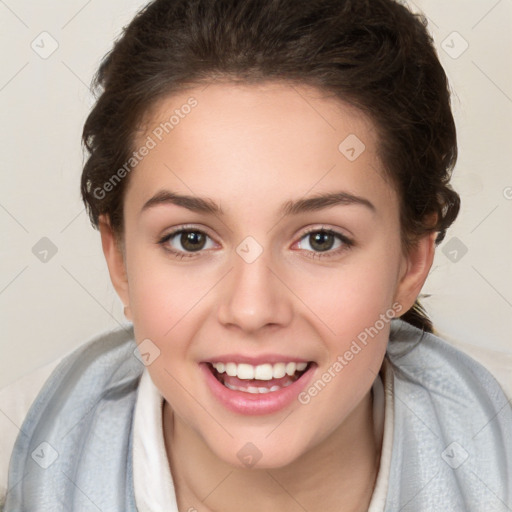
{"x": 374, "y": 54}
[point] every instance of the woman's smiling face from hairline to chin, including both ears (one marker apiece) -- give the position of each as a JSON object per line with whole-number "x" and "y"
{"x": 267, "y": 292}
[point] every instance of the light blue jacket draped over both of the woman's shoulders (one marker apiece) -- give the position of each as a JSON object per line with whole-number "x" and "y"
{"x": 452, "y": 441}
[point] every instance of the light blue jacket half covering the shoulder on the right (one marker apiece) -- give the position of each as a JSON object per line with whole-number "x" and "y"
{"x": 453, "y": 427}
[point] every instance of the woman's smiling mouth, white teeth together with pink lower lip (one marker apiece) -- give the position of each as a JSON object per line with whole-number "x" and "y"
{"x": 257, "y": 389}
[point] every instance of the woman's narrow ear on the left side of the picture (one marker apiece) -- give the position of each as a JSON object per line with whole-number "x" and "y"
{"x": 113, "y": 251}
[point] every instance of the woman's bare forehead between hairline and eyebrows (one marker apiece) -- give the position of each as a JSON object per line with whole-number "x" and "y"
{"x": 259, "y": 143}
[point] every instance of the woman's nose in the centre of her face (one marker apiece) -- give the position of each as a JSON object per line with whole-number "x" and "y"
{"x": 254, "y": 296}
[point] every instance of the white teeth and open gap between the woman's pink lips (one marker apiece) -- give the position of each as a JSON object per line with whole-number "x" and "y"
{"x": 260, "y": 379}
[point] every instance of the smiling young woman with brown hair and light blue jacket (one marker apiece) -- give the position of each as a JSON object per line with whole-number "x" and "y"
{"x": 270, "y": 179}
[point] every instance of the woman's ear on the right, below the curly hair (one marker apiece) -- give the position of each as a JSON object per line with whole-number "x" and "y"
{"x": 415, "y": 267}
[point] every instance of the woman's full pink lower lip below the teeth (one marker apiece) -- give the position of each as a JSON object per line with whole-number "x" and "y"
{"x": 256, "y": 404}
